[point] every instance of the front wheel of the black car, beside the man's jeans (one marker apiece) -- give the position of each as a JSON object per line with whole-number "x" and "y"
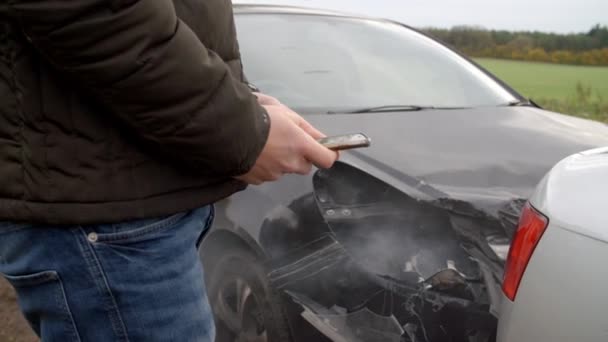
{"x": 246, "y": 308}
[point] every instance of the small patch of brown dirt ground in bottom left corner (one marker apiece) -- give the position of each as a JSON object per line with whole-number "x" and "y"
{"x": 13, "y": 327}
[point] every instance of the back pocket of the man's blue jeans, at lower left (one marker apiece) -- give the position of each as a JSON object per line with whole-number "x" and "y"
{"x": 42, "y": 298}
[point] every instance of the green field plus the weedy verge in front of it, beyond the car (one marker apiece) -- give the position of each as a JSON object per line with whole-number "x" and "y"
{"x": 569, "y": 89}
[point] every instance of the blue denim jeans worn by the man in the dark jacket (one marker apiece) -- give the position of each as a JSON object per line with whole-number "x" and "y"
{"x": 133, "y": 281}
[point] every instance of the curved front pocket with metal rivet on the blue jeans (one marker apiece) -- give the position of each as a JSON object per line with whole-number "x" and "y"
{"x": 134, "y": 231}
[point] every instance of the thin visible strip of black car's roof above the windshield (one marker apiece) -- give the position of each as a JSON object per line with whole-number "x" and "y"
{"x": 247, "y": 8}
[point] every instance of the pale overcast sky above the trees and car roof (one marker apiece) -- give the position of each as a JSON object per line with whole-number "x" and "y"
{"x": 560, "y": 16}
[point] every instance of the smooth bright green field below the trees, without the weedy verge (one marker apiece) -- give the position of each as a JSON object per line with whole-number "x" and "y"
{"x": 544, "y": 80}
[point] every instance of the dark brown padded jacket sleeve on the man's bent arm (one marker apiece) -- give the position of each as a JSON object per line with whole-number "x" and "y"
{"x": 152, "y": 72}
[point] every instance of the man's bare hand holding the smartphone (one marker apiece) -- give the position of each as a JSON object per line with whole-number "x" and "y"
{"x": 291, "y": 148}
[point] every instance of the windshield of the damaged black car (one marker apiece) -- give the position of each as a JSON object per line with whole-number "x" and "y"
{"x": 331, "y": 63}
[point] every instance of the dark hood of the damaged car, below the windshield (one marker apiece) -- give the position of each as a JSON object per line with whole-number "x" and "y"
{"x": 484, "y": 156}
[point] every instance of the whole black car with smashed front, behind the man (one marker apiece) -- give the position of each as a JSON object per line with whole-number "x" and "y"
{"x": 402, "y": 241}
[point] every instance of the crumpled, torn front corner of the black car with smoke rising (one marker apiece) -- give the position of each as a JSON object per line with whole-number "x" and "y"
{"x": 393, "y": 268}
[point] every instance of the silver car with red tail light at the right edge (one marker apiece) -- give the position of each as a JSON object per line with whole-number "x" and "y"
{"x": 555, "y": 277}
